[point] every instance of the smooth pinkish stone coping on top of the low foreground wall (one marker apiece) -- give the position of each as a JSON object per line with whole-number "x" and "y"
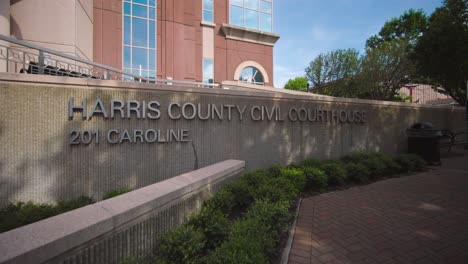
{"x": 46, "y": 239}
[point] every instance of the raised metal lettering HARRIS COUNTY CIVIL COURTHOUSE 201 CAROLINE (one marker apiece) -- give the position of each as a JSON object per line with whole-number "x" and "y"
{"x": 175, "y": 111}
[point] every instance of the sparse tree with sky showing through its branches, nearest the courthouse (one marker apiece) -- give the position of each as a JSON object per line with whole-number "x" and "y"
{"x": 332, "y": 73}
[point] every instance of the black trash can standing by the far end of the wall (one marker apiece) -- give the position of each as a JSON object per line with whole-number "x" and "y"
{"x": 423, "y": 140}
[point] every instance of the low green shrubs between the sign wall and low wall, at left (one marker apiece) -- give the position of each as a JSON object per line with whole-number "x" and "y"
{"x": 20, "y": 214}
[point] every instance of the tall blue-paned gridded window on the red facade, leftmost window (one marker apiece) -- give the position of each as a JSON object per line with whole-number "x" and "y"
{"x": 139, "y": 37}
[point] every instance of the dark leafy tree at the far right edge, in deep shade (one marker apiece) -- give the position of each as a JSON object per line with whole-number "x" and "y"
{"x": 442, "y": 52}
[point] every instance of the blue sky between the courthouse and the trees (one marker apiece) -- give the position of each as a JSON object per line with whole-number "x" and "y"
{"x": 311, "y": 27}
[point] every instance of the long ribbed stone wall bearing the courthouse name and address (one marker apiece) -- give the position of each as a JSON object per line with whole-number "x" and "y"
{"x": 62, "y": 138}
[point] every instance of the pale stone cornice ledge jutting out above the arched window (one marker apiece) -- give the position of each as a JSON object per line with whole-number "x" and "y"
{"x": 249, "y": 35}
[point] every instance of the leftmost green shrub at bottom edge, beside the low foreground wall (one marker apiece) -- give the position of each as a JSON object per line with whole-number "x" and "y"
{"x": 182, "y": 245}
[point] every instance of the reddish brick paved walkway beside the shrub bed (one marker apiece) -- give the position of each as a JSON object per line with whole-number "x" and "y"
{"x": 421, "y": 218}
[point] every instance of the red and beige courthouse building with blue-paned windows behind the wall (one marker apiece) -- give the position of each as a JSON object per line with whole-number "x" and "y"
{"x": 189, "y": 40}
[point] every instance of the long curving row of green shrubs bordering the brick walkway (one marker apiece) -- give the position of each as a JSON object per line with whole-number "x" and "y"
{"x": 244, "y": 221}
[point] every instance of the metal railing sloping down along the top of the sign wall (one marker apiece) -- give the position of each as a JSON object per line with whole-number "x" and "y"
{"x": 27, "y": 58}
